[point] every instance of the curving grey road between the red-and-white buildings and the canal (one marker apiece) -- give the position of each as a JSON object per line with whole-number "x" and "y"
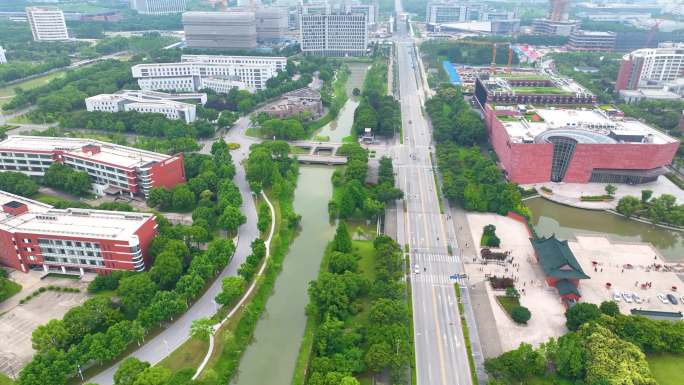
{"x": 170, "y": 339}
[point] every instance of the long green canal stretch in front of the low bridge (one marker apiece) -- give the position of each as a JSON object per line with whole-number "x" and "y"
{"x": 270, "y": 359}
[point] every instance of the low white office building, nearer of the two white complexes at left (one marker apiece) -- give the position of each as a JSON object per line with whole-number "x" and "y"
{"x": 173, "y": 106}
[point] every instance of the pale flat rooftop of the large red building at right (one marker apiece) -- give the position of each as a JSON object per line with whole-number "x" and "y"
{"x": 585, "y": 125}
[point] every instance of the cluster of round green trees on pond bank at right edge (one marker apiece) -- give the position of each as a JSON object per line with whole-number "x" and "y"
{"x": 663, "y": 209}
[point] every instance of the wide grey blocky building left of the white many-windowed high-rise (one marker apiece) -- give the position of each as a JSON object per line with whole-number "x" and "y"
{"x": 220, "y": 30}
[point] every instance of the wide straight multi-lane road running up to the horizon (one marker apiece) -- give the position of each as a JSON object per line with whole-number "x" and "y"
{"x": 440, "y": 349}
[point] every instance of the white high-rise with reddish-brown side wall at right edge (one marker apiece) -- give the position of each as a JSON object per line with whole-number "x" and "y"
{"x": 651, "y": 66}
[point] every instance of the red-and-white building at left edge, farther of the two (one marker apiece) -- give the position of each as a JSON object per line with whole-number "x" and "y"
{"x": 114, "y": 169}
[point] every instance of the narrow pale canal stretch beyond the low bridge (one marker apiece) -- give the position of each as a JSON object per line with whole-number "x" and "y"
{"x": 339, "y": 128}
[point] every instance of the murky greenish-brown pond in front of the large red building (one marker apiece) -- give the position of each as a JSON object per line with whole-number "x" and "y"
{"x": 549, "y": 218}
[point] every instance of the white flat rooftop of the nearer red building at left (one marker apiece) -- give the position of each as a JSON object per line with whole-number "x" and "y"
{"x": 84, "y": 223}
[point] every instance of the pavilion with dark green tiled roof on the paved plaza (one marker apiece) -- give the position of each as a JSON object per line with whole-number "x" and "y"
{"x": 560, "y": 266}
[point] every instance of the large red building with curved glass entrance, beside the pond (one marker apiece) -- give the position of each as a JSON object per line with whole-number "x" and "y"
{"x": 576, "y": 146}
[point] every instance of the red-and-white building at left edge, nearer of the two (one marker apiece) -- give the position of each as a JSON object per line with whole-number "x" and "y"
{"x": 34, "y": 235}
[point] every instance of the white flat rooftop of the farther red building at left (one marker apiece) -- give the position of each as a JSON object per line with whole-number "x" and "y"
{"x": 115, "y": 154}
